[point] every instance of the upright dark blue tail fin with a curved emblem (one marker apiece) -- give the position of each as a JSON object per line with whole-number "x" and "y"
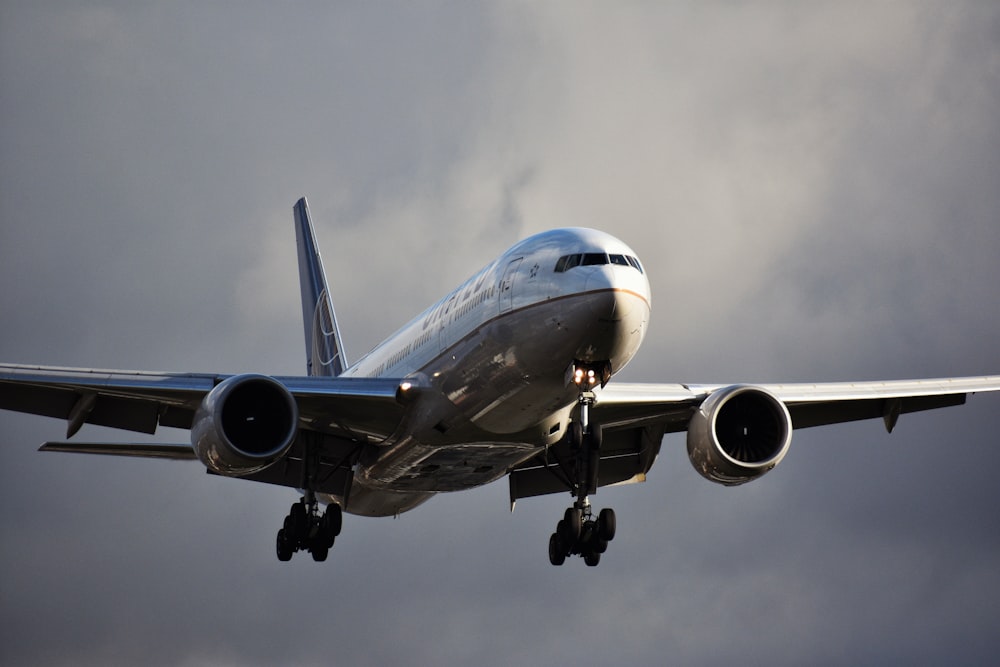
{"x": 324, "y": 349}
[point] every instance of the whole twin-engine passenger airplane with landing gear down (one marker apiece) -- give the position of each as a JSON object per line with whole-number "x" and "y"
{"x": 508, "y": 375}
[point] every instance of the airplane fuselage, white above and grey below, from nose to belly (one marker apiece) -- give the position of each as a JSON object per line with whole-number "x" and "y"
{"x": 493, "y": 360}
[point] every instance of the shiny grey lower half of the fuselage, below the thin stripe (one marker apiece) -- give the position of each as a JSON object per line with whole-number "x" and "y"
{"x": 501, "y": 393}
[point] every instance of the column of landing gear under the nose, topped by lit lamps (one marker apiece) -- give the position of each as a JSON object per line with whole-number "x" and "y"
{"x": 579, "y": 533}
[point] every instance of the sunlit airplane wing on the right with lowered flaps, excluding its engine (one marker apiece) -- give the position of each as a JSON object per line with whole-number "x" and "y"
{"x": 636, "y": 416}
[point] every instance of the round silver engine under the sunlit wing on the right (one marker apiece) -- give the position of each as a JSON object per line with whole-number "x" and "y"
{"x": 738, "y": 434}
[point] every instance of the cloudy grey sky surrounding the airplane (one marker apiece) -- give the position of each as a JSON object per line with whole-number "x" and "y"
{"x": 813, "y": 188}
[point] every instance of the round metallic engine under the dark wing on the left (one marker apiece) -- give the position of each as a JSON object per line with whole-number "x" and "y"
{"x": 244, "y": 424}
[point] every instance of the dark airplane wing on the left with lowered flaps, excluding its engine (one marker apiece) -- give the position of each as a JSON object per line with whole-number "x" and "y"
{"x": 335, "y": 413}
